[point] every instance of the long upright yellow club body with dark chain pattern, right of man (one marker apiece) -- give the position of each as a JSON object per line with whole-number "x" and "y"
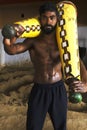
{"x": 67, "y": 39}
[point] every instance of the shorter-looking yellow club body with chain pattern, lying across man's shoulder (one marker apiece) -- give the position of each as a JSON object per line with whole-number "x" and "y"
{"x": 31, "y": 26}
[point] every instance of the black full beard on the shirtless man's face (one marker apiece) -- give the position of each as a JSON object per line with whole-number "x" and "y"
{"x": 48, "y": 29}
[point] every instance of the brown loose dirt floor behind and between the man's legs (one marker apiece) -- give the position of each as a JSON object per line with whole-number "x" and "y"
{"x": 15, "y": 85}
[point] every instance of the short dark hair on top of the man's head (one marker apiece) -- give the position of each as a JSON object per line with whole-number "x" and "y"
{"x": 48, "y": 6}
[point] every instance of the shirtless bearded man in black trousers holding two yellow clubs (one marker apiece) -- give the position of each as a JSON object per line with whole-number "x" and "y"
{"x": 48, "y": 93}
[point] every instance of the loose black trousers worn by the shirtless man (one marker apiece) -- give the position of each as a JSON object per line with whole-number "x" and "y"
{"x": 51, "y": 98}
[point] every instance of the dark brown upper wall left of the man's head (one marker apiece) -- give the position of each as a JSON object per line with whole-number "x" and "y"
{"x": 15, "y": 12}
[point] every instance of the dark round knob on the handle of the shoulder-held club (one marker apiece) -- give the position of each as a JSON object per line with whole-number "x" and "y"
{"x": 8, "y": 31}
